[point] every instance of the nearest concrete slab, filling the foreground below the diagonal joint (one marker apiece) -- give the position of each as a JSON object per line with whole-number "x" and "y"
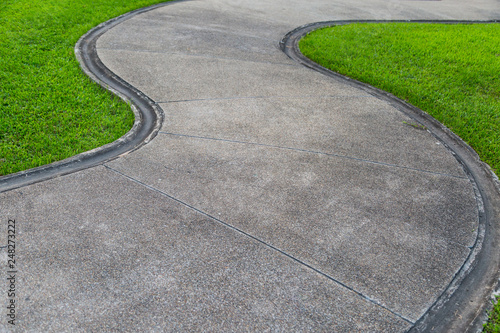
{"x": 98, "y": 252}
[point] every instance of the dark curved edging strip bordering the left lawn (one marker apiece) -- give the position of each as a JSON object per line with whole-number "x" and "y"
{"x": 148, "y": 114}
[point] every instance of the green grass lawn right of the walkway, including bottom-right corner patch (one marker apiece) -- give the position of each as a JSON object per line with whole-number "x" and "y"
{"x": 449, "y": 71}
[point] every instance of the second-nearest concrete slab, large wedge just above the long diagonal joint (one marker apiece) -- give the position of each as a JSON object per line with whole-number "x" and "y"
{"x": 392, "y": 234}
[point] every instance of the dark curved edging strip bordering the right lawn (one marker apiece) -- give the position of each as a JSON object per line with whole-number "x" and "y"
{"x": 464, "y": 304}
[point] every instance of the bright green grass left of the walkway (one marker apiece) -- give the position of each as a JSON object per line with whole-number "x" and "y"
{"x": 49, "y": 109}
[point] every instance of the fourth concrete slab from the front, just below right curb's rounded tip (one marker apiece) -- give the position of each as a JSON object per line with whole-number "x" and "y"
{"x": 163, "y": 77}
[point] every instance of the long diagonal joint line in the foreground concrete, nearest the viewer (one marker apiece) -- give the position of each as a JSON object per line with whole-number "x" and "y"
{"x": 272, "y": 247}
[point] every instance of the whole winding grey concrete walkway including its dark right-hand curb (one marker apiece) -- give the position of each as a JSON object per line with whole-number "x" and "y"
{"x": 273, "y": 197}
